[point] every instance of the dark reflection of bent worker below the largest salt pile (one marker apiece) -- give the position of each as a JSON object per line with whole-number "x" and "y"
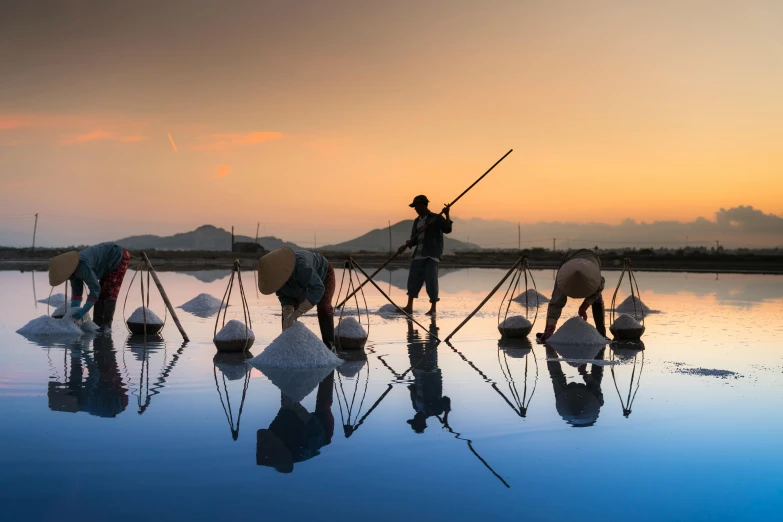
{"x": 296, "y": 435}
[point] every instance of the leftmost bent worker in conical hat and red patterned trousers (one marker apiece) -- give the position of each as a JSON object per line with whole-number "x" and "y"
{"x": 101, "y": 268}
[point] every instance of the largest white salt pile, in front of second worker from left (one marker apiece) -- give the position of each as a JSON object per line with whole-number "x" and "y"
{"x": 297, "y": 347}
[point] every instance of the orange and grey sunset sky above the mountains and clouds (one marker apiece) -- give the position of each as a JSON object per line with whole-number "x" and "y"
{"x": 121, "y": 118}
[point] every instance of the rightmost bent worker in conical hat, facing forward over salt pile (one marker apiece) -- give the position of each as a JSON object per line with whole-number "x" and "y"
{"x": 579, "y": 276}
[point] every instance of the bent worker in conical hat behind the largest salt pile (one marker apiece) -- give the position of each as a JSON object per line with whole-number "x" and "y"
{"x": 301, "y": 280}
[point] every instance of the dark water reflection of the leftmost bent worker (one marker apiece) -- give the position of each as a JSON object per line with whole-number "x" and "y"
{"x": 102, "y": 393}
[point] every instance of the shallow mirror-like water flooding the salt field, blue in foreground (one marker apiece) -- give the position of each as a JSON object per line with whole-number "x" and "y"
{"x": 689, "y": 428}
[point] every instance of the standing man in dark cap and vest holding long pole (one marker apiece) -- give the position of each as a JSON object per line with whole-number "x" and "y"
{"x": 427, "y": 236}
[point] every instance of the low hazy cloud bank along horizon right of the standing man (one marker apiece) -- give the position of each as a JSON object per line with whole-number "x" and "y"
{"x": 742, "y": 226}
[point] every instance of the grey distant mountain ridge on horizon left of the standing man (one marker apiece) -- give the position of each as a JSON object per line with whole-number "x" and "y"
{"x": 206, "y": 237}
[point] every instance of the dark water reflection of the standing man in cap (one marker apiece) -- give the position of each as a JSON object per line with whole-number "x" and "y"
{"x": 427, "y": 388}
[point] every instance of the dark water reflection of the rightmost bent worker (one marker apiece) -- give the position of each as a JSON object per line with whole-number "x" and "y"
{"x": 578, "y": 403}
